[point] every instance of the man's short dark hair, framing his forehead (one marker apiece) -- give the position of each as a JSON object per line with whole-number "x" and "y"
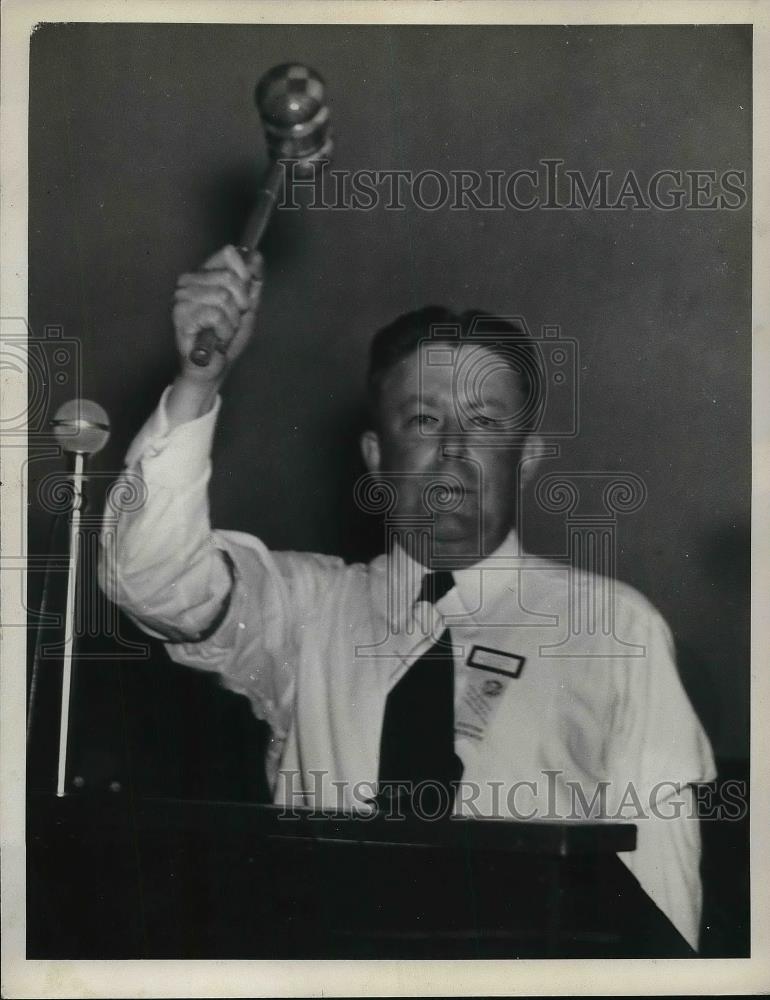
{"x": 436, "y": 324}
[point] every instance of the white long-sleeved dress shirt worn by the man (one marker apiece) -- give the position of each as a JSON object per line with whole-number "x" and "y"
{"x": 546, "y": 701}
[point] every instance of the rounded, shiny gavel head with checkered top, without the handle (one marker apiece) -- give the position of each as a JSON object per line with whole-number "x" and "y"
{"x": 292, "y": 105}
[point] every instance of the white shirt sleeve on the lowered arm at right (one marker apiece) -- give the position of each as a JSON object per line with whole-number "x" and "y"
{"x": 661, "y": 749}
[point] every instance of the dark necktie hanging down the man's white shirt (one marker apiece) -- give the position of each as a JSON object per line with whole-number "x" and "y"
{"x": 418, "y": 728}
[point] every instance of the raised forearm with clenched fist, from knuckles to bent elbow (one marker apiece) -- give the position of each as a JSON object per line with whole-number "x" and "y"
{"x": 161, "y": 562}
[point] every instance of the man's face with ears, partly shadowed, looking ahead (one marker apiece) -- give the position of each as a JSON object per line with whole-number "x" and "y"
{"x": 445, "y": 442}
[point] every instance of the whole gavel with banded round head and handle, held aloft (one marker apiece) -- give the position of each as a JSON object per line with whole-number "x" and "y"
{"x": 291, "y": 102}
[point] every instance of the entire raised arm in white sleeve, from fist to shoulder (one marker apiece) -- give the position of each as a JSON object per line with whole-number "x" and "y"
{"x": 220, "y": 600}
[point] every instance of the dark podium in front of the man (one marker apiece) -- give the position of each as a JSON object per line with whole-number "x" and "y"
{"x": 120, "y": 877}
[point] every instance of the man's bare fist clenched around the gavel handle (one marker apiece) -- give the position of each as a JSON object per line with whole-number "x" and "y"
{"x": 223, "y": 297}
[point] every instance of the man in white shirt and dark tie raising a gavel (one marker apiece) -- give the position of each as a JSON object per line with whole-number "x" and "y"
{"x": 443, "y": 665}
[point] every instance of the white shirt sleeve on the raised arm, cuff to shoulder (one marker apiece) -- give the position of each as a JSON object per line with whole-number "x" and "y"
{"x": 220, "y": 600}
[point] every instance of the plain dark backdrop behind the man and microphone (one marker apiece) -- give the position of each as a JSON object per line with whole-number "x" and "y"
{"x": 144, "y": 150}
